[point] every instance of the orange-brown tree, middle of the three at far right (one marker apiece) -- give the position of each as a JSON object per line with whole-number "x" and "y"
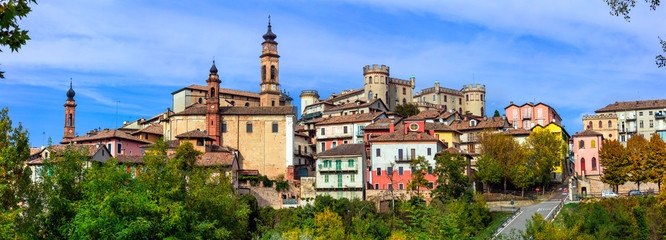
{"x": 637, "y": 154}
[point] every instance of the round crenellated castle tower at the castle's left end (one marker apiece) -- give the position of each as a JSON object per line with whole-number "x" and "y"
{"x": 377, "y": 84}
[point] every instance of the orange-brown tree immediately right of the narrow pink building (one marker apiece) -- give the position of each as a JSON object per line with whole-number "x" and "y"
{"x": 613, "y": 157}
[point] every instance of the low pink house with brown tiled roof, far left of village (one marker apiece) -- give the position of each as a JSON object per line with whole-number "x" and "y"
{"x": 116, "y": 141}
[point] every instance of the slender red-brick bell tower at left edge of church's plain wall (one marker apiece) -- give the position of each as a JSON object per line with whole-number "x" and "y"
{"x": 213, "y": 105}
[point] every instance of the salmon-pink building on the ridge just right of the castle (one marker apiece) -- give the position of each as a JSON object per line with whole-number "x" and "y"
{"x": 529, "y": 115}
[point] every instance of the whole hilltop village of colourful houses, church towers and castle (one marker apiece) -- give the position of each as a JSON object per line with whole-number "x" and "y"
{"x": 354, "y": 144}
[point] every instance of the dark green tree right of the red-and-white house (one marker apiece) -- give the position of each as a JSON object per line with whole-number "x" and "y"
{"x": 452, "y": 183}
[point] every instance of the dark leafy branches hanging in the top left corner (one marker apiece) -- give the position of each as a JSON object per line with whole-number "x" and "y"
{"x": 11, "y": 34}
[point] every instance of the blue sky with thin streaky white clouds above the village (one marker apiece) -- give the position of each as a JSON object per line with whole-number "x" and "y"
{"x": 125, "y": 58}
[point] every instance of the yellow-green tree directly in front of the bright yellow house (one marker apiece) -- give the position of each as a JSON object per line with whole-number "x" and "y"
{"x": 545, "y": 151}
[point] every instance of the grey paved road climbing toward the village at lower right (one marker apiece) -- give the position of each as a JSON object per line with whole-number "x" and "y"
{"x": 542, "y": 208}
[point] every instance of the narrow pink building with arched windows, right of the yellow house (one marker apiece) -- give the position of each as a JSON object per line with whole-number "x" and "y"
{"x": 586, "y": 153}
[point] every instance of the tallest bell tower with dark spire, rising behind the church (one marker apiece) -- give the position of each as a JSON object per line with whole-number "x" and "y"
{"x": 270, "y": 86}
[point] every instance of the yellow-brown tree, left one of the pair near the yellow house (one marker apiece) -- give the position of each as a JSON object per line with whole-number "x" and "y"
{"x": 503, "y": 149}
